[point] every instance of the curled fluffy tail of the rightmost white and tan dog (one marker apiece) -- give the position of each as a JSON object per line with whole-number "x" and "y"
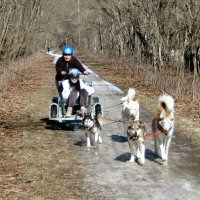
{"x": 166, "y": 102}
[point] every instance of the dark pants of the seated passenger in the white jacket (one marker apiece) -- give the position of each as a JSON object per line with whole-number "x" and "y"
{"x": 83, "y": 95}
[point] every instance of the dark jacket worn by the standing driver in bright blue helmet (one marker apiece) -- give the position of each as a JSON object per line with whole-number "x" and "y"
{"x": 63, "y": 65}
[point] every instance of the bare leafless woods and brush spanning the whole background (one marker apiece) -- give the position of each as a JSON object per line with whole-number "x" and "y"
{"x": 157, "y": 36}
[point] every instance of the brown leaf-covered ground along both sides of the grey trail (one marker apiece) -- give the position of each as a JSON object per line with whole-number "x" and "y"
{"x": 32, "y": 156}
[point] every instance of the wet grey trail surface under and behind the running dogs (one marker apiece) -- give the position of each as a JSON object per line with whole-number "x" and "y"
{"x": 116, "y": 178}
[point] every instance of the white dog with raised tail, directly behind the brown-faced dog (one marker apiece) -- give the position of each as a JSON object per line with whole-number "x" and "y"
{"x": 130, "y": 108}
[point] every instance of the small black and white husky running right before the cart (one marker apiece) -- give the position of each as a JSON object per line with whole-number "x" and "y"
{"x": 92, "y": 126}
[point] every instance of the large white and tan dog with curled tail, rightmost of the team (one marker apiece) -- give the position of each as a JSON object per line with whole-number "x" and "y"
{"x": 164, "y": 122}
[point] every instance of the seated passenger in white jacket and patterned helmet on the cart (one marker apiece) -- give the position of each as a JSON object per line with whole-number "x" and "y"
{"x": 74, "y": 88}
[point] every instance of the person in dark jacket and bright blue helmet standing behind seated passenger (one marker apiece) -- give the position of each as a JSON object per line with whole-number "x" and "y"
{"x": 64, "y": 64}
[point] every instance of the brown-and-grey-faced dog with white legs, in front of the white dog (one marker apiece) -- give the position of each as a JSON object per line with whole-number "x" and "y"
{"x": 135, "y": 135}
